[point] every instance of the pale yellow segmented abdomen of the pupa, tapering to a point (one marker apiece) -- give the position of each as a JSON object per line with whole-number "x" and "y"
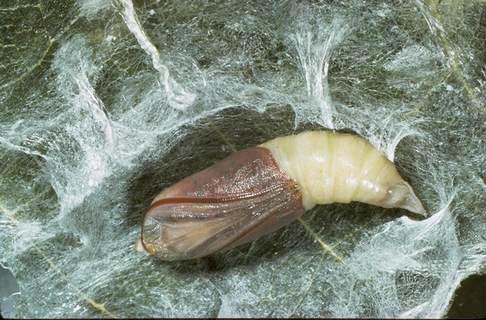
{"x": 337, "y": 167}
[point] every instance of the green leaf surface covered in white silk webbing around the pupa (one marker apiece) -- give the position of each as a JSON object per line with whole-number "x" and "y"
{"x": 103, "y": 104}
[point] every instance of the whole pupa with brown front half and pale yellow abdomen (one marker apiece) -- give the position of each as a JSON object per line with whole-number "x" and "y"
{"x": 260, "y": 189}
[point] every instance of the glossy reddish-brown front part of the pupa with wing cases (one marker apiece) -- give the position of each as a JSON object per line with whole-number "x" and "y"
{"x": 236, "y": 200}
